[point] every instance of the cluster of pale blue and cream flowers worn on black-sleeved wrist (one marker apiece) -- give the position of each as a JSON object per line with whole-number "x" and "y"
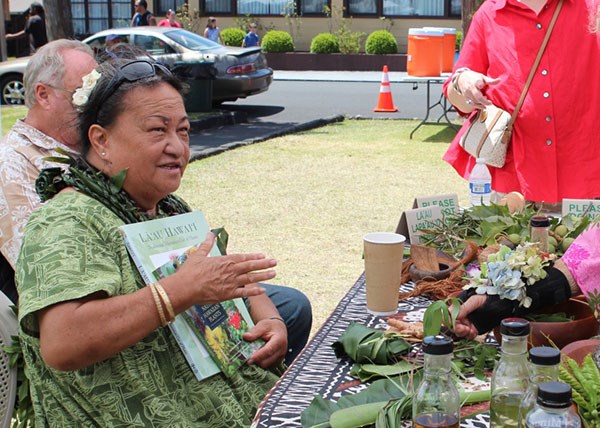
{"x": 507, "y": 272}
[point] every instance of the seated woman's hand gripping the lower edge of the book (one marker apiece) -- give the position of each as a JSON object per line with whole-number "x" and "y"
{"x": 274, "y": 333}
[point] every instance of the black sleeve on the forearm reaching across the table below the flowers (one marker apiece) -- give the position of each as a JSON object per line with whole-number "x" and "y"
{"x": 552, "y": 290}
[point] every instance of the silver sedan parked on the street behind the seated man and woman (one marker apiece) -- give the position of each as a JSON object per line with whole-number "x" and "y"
{"x": 240, "y": 72}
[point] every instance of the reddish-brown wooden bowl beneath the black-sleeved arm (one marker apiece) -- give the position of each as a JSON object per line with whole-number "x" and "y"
{"x": 583, "y": 326}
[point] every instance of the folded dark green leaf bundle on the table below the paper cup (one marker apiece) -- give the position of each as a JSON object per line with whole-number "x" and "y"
{"x": 363, "y": 344}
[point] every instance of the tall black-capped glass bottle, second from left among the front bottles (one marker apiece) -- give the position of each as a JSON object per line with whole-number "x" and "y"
{"x": 510, "y": 378}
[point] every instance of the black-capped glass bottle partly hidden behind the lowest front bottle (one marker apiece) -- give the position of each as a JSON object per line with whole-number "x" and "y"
{"x": 543, "y": 367}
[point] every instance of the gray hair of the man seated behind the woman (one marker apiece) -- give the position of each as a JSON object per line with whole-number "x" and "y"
{"x": 47, "y": 66}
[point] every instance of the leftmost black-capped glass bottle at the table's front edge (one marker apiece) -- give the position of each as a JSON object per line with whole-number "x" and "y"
{"x": 436, "y": 402}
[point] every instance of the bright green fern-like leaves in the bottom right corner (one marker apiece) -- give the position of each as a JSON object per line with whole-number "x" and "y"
{"x": 584, "y": 382}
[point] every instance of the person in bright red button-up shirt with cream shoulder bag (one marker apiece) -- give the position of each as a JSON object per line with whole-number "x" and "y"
{"x": 554, "y": 152}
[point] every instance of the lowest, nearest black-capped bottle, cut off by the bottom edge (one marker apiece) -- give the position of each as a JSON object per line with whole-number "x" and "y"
{"x": 553, "y": 408}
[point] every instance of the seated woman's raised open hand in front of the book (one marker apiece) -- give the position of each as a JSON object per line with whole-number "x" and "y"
{"x": 216, "y": 279}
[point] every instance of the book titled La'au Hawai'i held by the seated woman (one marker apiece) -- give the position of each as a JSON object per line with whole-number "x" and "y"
{"x": 210, "y": 336}
